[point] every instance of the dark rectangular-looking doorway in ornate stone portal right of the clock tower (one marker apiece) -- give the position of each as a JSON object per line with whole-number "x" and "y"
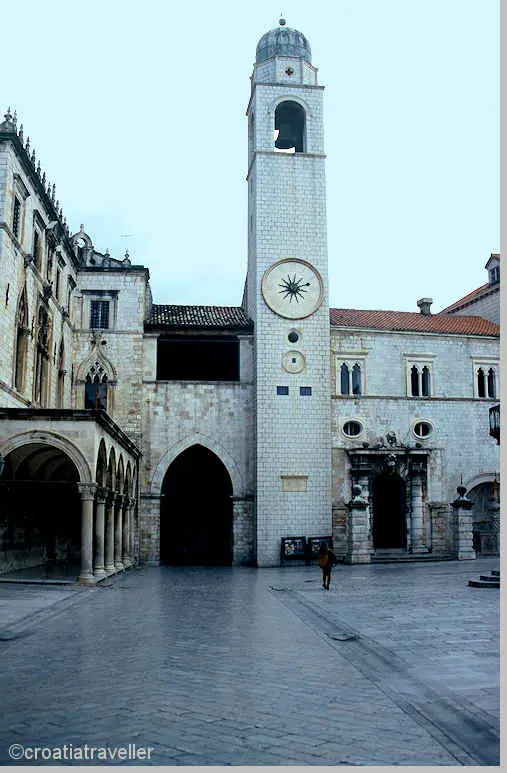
{"x": 389, "y": 505}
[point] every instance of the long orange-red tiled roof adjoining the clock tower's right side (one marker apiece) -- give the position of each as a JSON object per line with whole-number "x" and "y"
{"x": 413, "y": 321}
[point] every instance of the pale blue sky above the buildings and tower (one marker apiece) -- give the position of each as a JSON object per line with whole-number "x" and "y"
{"x": 137, "y": 114}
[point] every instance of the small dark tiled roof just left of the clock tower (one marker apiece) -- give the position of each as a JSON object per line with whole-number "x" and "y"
{"x": 216, "y": 317}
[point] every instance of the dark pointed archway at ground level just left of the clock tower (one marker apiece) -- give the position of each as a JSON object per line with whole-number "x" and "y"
{"x": 196, "y": 511}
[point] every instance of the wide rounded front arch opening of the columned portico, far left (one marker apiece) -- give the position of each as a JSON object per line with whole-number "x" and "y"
{"x": 40, "y": 509}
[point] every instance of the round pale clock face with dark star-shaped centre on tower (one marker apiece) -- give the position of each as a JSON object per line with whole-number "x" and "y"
{"x": 292, "y": 288}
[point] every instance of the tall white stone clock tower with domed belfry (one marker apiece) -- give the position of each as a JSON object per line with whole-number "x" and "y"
{"x": 287, "y": 294}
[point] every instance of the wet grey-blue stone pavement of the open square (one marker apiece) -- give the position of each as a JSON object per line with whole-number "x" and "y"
{"x": 395, "y": 665}
